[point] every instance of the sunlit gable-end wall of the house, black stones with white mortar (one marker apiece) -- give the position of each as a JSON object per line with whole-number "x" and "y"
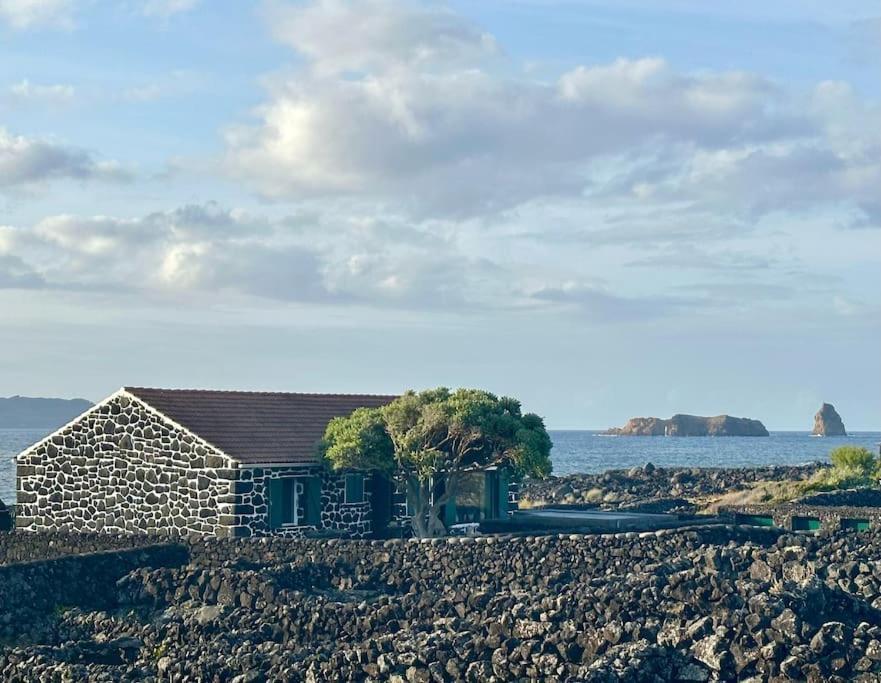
{"x": 123, "y": 468}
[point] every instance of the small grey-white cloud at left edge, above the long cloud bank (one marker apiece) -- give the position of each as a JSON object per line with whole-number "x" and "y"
{"x": 31, "y": 161}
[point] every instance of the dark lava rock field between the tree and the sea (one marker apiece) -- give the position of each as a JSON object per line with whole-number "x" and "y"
{"x": 661, "y": 489}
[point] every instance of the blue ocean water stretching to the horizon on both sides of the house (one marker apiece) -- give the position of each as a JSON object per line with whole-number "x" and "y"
{"x": 589, "y": 451}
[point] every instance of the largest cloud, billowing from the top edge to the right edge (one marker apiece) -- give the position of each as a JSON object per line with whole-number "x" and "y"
{"x": 411, "y": 112}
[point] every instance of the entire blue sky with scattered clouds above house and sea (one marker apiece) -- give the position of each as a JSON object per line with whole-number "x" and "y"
{"x": 605, "y": 209}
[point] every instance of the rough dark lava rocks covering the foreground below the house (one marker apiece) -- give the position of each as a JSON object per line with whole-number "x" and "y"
{"x": 702, "y": 604}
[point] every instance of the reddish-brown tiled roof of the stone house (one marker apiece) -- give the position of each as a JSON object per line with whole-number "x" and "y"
{"x": 257, "y": 427}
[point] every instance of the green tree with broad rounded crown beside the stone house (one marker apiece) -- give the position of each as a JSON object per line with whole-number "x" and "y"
{"x": 437, "y": 436}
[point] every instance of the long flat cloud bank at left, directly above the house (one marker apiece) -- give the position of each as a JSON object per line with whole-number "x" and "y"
{"x": 208, "y": 249}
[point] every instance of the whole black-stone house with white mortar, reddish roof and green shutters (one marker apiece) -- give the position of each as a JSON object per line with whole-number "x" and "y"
{"x": 224, "y": 463}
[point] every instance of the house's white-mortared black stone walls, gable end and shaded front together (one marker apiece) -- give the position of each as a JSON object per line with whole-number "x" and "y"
{"x": 124, "y": 467}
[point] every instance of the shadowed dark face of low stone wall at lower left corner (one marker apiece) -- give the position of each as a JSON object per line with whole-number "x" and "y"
{"x": 30, "y": 590}
